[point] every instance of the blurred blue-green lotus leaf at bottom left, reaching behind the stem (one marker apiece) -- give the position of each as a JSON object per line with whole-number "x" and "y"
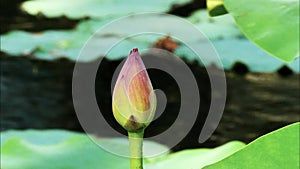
{"x": 55, "y": 149}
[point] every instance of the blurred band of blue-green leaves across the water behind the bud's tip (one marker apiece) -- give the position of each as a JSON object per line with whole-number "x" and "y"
{"x": 224, "y": 35}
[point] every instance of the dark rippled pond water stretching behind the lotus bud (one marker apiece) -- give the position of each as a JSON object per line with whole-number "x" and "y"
{"x": 38, "y": 94}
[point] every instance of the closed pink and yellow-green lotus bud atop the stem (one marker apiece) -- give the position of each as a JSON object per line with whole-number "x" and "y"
{"x": 134, "y": 101}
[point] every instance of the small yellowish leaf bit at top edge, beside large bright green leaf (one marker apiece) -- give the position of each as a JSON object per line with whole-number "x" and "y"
{"x": 215, "y": 7}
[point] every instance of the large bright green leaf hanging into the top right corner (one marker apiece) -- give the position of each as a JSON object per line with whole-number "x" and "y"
{"x": 271, "y": 24}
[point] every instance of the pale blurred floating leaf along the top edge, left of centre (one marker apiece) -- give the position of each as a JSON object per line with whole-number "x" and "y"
{"x": 96, "y": 8}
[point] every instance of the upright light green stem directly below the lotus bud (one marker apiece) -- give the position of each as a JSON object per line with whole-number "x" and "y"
{"x": 136, "y": 149}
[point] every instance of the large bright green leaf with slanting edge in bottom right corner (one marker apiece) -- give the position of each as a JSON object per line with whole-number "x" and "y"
{"x": 276, "y": 150}
